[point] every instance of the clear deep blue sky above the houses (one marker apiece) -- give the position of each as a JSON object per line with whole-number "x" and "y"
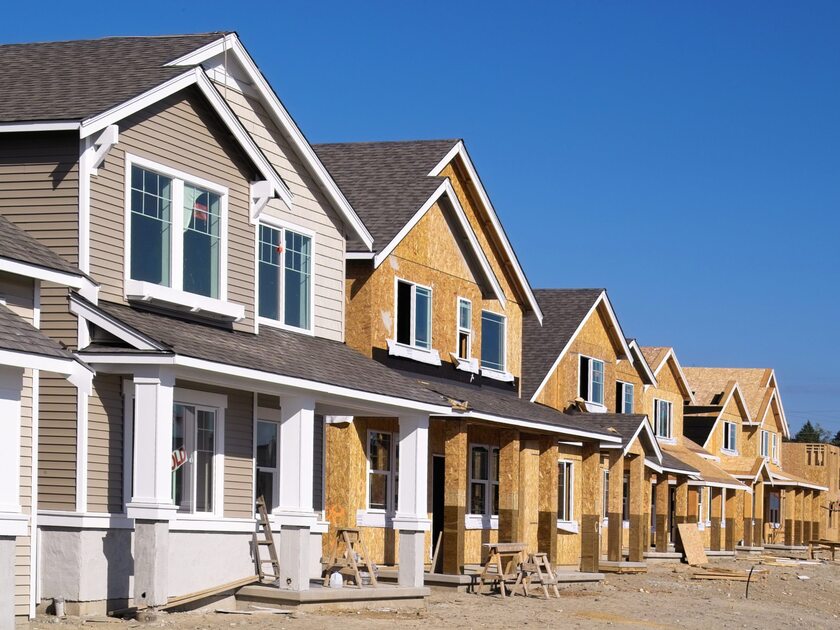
{"x": 684, "y": 155}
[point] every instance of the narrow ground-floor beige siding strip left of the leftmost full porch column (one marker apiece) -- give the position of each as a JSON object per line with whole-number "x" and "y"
{"x": 105, "y": 445}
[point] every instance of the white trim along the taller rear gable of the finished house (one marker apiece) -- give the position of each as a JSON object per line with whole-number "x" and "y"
{"x": 281, "y": 116}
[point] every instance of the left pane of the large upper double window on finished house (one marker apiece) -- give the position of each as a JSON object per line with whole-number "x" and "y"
{"x": 151, "y": 227}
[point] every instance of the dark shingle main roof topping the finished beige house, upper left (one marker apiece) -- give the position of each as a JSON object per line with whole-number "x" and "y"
{"x": 74, "y": 80}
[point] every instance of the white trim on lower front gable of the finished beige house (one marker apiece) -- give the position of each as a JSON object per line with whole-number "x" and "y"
{"x": 194, "y": 76}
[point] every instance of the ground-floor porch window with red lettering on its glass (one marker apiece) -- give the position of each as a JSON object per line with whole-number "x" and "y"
{"x": 193, "y": 454}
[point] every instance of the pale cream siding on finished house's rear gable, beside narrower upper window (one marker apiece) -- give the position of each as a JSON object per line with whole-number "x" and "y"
{"x": 310, "y": 210}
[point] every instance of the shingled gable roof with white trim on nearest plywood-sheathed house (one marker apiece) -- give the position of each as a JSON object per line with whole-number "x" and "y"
{"x": 392, "y": 185}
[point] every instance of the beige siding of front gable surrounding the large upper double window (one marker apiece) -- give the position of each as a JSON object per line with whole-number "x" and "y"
{"x": 183, "y": 133}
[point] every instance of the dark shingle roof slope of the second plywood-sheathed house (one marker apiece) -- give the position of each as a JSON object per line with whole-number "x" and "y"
{"x": 563, "y": 311}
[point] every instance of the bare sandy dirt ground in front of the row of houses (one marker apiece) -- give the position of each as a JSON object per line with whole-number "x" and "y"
{"x": 665, "y": 597}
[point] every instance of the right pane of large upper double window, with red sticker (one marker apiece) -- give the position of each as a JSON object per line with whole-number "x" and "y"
{"x": 202, "y": 241}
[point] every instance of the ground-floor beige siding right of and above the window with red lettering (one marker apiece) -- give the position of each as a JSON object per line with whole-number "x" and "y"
{"x": 238, "y": 449}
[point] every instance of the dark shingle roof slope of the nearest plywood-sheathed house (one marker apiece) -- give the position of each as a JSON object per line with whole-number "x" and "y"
{"x": 385, "y": 182}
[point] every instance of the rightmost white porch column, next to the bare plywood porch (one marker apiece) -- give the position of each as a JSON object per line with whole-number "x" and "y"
{"x": 412, "y": 517}
